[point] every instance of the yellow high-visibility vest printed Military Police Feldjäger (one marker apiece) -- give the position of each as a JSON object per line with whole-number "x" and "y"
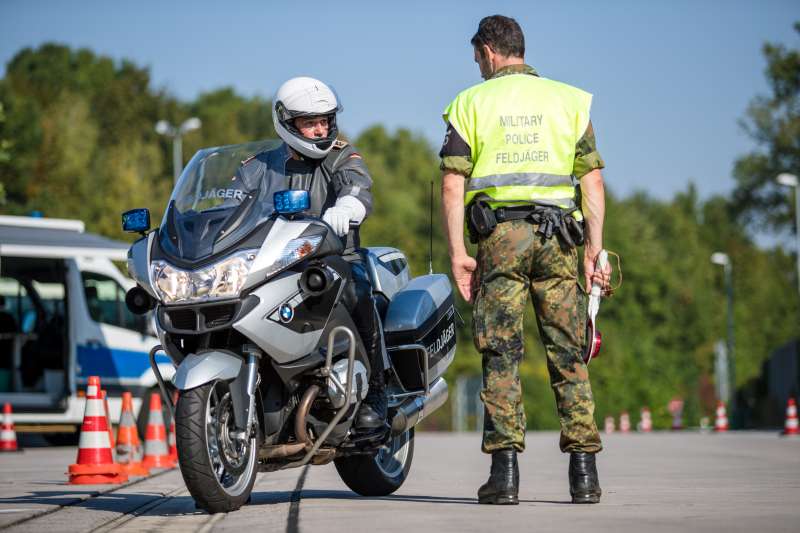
{"x": 522, "y": 130}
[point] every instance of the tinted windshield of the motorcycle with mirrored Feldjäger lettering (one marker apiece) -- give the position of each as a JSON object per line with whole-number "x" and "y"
{"x": 214, "y": 205}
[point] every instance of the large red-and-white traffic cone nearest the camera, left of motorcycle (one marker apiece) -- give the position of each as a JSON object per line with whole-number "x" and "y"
{"x": 95, "y": 463}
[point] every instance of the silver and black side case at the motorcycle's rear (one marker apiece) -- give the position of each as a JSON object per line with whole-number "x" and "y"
{"x": 421, "y": 313}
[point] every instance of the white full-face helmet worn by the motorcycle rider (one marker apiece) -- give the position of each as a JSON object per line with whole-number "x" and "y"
{"x": 303, "y": 97}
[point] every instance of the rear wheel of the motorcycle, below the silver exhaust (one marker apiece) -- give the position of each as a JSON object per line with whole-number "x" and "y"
{"x": 381, "y": 473}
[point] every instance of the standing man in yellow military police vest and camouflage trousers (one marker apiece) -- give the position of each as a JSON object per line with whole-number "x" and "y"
{"x": 514, "y": 147}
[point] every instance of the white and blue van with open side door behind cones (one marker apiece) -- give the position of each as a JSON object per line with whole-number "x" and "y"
{"x": 62, "y": 319}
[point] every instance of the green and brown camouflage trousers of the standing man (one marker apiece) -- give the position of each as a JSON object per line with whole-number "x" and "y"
{"x": 513, "y": 261}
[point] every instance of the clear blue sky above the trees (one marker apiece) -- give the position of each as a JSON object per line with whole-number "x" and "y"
{"x": 670, "y": 79}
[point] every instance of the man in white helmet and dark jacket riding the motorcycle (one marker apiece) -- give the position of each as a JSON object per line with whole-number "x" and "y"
{"x": 311, "y": 157}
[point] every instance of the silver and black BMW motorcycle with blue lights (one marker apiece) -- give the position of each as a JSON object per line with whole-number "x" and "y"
{"x": 270, "y": 369}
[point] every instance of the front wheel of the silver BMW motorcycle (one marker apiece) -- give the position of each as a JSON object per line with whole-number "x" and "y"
{"x": 219, "y": 471}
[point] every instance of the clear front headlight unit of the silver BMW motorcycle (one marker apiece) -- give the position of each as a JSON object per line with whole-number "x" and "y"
{"x": 220, "y": 280}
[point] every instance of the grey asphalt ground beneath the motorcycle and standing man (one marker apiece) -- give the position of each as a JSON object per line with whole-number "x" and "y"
{"x": 740, "y": 481}
